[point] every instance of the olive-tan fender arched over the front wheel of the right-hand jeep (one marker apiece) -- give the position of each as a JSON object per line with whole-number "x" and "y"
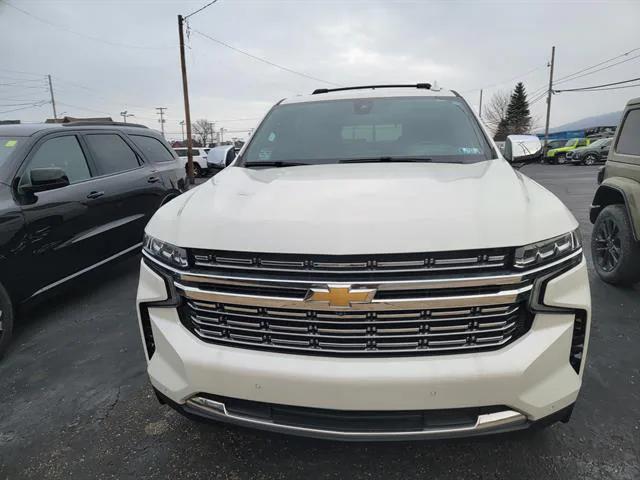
{"x": 619, "y": 190}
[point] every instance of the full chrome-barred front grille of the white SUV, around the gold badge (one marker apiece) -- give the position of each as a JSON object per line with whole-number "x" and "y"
{"x": 416, "y": 312}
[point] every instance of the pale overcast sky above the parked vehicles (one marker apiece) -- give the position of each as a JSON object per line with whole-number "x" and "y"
{"x": 106, "y": 56}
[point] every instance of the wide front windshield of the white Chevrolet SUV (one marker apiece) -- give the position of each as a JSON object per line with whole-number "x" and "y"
{"x": 434, "y": 129}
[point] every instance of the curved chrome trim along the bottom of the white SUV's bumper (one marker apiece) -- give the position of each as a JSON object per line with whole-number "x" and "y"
{"x": 487, "y": 423}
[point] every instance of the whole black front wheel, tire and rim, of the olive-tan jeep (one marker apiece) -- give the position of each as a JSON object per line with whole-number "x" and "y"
{"x": 616, "y": 254}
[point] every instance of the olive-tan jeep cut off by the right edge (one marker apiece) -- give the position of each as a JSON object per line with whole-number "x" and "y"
{"x": 615, "y": 212}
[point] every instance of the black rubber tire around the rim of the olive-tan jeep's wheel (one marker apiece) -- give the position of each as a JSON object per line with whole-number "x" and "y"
{"x": 627, "y": 269}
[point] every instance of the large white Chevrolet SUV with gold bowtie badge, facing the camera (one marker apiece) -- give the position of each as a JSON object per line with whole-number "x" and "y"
{"x": 369, "y": 268}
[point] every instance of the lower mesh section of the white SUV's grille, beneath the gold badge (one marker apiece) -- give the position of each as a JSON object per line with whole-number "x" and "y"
{"x": 361, "y": 333}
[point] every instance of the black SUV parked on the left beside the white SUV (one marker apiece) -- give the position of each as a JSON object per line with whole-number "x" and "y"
{"x": 73, "y": 197}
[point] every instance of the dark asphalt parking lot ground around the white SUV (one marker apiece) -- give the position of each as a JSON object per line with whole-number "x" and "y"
{"x": 75, "y": 401}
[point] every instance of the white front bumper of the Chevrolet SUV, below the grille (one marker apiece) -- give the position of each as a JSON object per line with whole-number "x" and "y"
{"x": 531, "y": 377}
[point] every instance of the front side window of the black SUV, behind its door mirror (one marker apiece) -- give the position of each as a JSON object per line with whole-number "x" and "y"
{"x": 62, "y": 152}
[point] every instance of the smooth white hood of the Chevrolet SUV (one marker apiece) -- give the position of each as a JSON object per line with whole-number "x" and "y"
{"x": 363, "y": 208}
